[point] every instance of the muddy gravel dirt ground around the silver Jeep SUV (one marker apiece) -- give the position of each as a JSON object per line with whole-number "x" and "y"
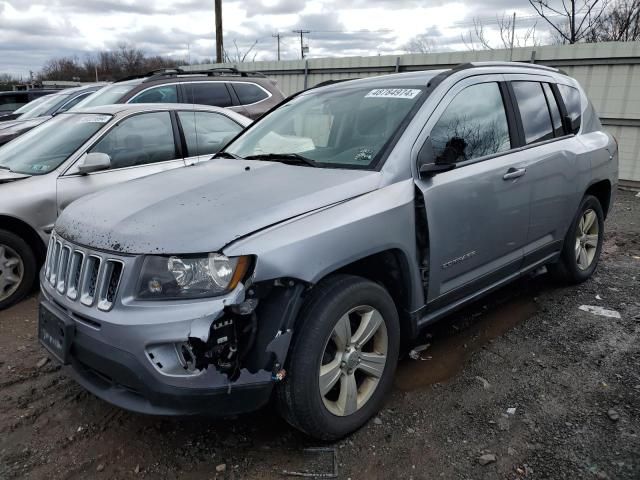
{"x": 552, "y": 391}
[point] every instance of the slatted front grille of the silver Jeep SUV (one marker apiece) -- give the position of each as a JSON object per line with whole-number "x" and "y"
{"x": 90, "y": 277}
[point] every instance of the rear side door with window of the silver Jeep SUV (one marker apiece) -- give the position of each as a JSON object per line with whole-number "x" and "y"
{"x": 549, "y": 156}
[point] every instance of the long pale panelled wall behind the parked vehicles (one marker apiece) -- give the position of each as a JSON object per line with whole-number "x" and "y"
{"x": 609, "y": 72}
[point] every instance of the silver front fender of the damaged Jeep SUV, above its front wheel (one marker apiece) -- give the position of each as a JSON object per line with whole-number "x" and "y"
{"x": 314, "y": 245}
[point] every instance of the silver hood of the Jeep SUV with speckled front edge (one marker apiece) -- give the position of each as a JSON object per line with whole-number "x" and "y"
{"x": 203, "y": 208}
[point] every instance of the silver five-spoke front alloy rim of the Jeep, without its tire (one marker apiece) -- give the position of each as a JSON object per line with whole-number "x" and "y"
{"x": 354, "y": 359}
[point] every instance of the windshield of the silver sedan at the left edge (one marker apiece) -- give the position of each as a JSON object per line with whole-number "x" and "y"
{"x": 45, "y": 147}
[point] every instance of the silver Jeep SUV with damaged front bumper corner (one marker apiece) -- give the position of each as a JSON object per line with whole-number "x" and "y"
{"x": 323, "y": 238}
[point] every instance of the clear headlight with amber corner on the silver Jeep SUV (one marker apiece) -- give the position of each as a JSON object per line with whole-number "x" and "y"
{"x": 190, "y": 276}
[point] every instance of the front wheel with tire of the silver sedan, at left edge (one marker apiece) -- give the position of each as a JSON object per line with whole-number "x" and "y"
{"x": 18, "y": 268}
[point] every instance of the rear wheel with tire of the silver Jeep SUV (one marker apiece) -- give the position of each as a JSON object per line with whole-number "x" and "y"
{"x": 573, "y": 268}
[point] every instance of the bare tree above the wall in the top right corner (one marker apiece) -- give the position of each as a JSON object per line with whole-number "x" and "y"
{"x": 620, "y": 23}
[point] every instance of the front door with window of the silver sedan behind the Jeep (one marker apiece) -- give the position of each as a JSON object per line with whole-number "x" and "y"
{"x": 139, "y": 145}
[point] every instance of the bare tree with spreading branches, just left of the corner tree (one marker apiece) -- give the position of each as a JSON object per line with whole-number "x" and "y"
{"x": 572, "y": 21}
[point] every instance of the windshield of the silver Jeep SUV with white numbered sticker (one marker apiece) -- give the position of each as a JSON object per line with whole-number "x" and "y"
{"x": 345, "y": 128}
